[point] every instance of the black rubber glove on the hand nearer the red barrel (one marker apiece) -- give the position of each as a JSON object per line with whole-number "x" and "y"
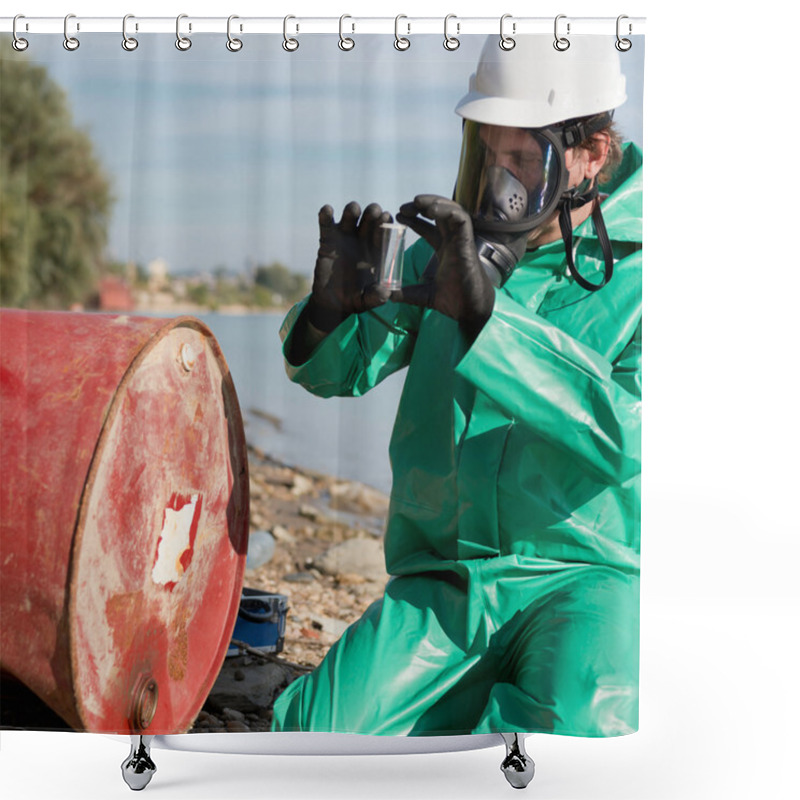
{"x": 347, "y": 261}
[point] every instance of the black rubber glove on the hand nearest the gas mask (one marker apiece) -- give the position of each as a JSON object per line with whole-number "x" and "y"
{"x": 454, "y": 283}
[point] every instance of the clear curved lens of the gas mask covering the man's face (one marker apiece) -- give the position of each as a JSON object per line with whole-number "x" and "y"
{"x": 507, "y": 175}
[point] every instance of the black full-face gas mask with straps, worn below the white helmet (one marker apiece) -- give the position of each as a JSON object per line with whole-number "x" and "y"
{"x": 512, "y": 181}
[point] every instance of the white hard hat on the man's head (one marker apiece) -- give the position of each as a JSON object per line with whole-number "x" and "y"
{"x": 535, "y": 85}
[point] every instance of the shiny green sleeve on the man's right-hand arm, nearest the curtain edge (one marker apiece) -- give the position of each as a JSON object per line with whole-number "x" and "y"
{"x": 568, "y": 394}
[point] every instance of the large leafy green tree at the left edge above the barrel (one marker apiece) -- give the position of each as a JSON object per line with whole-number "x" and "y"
{"x": 55, "y": 199}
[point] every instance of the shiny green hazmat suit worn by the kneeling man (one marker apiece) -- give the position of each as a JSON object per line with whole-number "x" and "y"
{"x": 513, "y": 530}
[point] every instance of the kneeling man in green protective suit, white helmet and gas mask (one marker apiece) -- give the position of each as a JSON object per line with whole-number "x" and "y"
{"x": 513, "y": 532}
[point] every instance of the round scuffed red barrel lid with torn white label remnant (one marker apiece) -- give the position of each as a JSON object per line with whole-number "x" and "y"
{"x": 161, "y": 541}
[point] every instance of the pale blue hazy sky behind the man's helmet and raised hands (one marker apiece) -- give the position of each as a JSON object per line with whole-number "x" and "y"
{"x": 223, "y": 159}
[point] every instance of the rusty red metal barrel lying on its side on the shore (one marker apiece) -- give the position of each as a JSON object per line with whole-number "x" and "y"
{"x": 123, "y": 516}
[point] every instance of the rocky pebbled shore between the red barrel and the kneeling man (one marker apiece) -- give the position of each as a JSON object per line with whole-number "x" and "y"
{"x": 328, "y": 561}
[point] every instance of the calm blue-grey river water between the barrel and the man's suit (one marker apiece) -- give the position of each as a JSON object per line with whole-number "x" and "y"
{"x": 347, "y": 438}
